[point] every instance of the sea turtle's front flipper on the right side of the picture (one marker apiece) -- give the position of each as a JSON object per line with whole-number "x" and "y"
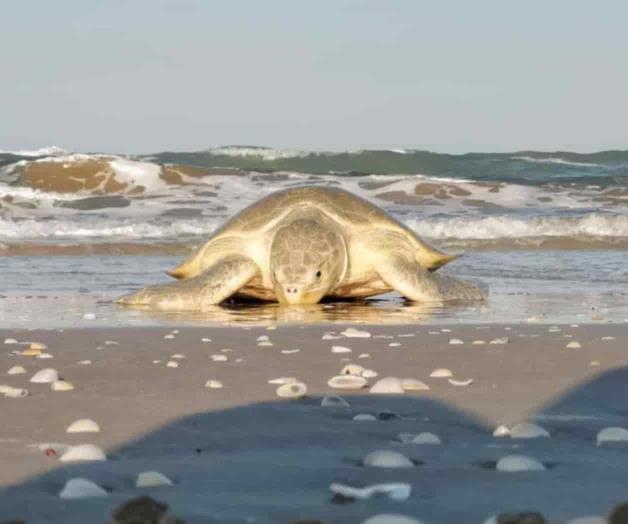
{"x": 416, "y": 283}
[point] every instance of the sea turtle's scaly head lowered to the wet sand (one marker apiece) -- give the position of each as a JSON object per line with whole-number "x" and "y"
{"x": 307, "y": 260}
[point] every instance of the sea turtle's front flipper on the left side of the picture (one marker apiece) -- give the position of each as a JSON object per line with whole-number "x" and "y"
{"x": 211, "y": 287}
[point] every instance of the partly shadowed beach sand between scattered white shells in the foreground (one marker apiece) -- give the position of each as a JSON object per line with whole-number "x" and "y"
{"x": 242, "y": 454}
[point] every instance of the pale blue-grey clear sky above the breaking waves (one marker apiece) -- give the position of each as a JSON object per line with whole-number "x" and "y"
{"x": 451, "y": 76}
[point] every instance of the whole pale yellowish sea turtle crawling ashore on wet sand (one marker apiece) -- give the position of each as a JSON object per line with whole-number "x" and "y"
{"x": 299, "y": 245}
